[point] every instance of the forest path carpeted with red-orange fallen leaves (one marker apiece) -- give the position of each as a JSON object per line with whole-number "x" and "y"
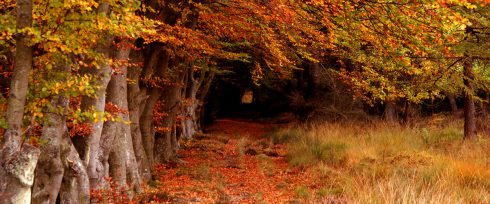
{"x": 233, "y": 163}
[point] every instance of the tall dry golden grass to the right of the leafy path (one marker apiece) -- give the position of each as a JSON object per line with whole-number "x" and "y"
{"x": 379, "y": 163}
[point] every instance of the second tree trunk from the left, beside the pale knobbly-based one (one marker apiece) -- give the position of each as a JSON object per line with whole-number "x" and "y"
{"x": 49, "y": 172}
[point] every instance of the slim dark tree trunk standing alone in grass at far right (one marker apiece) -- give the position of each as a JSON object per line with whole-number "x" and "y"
{"x": 469, "y": 104}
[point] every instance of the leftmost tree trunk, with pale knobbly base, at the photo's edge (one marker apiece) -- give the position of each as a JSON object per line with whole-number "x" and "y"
{"x": 18, "y": 162}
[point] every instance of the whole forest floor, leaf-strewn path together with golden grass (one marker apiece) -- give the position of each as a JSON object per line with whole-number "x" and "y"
{"x": 243, "y": 161}
